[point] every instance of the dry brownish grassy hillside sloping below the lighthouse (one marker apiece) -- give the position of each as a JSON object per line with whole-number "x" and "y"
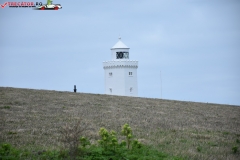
{"x": 34, "y": 118}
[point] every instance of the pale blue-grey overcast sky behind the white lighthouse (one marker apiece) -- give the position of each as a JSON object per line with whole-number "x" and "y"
{"x": 195, "y": 44}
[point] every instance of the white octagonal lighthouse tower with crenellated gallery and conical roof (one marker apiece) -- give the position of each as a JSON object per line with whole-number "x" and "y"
{"x": 120, "y": 72}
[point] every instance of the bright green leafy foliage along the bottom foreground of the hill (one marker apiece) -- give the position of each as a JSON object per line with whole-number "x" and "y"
{"x": 108, "y": 148}
